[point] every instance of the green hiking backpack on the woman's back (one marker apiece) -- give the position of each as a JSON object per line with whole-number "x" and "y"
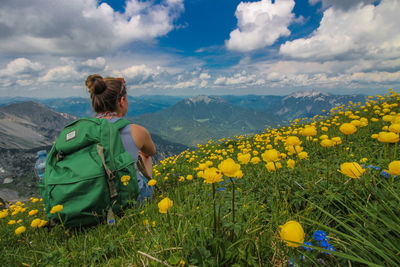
{"x": 89, "y": 173}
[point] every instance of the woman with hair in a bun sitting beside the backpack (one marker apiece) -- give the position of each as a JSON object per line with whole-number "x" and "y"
{"x": 110, "y": 101}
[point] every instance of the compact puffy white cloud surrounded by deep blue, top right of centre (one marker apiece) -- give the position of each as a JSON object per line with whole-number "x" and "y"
{"x": 260, "y": 24}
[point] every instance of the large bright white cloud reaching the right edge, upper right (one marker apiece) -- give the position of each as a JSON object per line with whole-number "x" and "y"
{"x": 367, "y": 31}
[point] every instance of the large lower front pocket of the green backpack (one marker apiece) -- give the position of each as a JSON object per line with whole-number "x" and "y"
{"x": 80, "y": 184}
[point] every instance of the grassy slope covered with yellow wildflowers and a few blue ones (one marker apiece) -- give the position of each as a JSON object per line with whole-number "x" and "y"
{"x": 320, "y": 191}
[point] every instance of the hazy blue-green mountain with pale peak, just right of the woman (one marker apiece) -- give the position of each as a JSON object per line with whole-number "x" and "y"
{"x": 198, "y": 119}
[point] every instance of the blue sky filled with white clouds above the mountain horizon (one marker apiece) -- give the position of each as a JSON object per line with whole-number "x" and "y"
{"x": 193, "y": 47}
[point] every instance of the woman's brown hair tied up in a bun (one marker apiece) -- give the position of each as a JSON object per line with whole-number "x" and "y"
{"x": 105, "y": 92}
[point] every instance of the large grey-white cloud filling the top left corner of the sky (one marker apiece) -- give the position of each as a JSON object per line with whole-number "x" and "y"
{"x": 77, "y": 27}
